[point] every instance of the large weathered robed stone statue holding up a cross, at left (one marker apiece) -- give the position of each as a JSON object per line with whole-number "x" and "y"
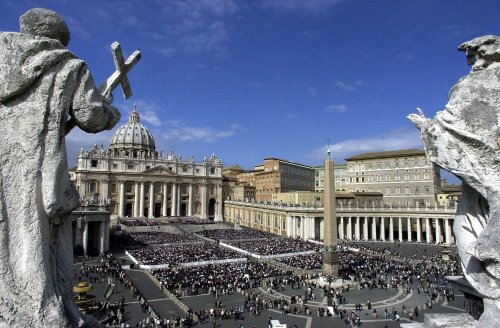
{"x": 45, "y": 91}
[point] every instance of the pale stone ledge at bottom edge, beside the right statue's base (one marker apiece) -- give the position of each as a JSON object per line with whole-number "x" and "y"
{"x": 444, "y": 320}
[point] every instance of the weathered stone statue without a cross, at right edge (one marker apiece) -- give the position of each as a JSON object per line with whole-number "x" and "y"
{"x": 464, "y": 139}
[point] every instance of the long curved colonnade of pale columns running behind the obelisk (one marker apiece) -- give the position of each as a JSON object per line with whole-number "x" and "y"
{"x": 398, "y": 224}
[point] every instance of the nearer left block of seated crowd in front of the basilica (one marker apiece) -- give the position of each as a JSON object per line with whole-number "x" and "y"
{"x": 175, "y": 254}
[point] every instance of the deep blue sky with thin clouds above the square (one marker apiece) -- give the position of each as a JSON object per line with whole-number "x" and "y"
{"x": 248, "y": 80}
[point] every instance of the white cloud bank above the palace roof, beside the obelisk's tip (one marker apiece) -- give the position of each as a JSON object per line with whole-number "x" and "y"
{"x": 406, "y": 138}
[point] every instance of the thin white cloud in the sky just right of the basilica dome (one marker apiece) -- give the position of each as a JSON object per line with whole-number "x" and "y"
{"x": 179, "y": 131}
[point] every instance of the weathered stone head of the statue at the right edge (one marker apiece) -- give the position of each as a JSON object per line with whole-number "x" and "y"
{"x": 482, "y": 51}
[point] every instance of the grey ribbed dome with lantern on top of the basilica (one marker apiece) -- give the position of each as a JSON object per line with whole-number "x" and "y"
{"x": 133, "y": 135}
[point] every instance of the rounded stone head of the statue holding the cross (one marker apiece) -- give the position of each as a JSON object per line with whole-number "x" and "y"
{"x": 44, "y": 22}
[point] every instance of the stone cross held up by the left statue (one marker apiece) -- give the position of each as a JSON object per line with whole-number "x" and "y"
{"x": 120, "y": 75}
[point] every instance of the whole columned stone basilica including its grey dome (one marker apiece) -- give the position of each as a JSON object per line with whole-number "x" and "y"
{"x": 139, "y": 181}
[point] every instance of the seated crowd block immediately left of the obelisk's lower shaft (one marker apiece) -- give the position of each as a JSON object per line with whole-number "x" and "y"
{"x": 275, "y": 246}
